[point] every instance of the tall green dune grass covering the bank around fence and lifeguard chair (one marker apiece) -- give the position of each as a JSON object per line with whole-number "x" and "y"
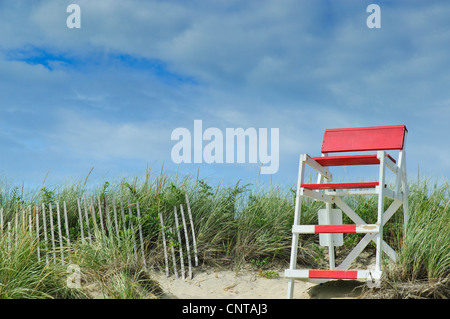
{"x": 235, "y": 225}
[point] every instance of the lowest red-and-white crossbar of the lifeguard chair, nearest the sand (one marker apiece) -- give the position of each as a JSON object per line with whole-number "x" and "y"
{"x": 331, "y": 274}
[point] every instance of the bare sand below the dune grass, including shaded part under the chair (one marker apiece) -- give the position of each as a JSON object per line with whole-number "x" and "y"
{"x": 248, "y": 284}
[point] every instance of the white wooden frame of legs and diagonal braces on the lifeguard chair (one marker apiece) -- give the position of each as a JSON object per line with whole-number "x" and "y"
{"x": 399, "y": 194}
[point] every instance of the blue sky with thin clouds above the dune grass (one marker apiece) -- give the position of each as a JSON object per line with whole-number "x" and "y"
{"x": 108, "y": 95}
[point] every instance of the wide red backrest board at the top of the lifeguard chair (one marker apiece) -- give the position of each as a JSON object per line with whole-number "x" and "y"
{"x": 373, "y": 138}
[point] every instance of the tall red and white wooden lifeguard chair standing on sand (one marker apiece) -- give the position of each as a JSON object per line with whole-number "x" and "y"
{"x": 362, "y": 139}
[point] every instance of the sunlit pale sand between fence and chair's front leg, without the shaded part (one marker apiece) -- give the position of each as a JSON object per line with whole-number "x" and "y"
{"x": 225, "y": 284}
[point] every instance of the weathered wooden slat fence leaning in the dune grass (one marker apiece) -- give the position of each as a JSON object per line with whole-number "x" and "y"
{"x": 55, "y": 229}
